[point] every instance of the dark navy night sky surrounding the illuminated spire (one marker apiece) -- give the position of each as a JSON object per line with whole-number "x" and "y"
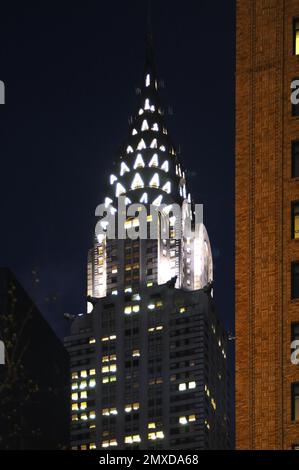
{"x": 71, "y": 70}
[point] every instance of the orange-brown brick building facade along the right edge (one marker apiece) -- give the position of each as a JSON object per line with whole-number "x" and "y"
{"x": 267, "y": 250}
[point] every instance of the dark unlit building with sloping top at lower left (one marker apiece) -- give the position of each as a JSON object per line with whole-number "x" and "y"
{"x": 34, "y": 406}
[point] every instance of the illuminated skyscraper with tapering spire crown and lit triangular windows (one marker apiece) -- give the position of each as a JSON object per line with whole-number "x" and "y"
{"x": 149, "y": 359}
